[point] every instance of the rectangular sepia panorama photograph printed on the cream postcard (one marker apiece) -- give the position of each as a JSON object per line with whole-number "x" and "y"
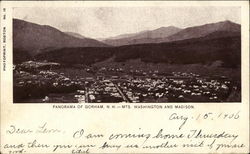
{"x": 157, "y": 54}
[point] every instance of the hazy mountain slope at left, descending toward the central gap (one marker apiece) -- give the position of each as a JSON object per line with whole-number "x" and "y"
{"x": 35, "y": 37}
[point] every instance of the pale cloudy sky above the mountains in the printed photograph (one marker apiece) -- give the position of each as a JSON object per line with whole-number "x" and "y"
{"x": 104, "y": 22}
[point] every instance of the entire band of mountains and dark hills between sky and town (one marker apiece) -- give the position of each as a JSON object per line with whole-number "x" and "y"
{"x": 204, "y": 44}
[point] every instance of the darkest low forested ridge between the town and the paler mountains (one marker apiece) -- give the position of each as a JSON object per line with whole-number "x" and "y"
{"x": 204, "y": 50}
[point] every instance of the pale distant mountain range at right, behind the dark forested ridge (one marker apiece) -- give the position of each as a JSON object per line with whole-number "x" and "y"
{"x": 171, "y": 33}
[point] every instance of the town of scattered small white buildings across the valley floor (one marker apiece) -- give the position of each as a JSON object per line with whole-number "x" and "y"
{"x": 40, "y": 82}
